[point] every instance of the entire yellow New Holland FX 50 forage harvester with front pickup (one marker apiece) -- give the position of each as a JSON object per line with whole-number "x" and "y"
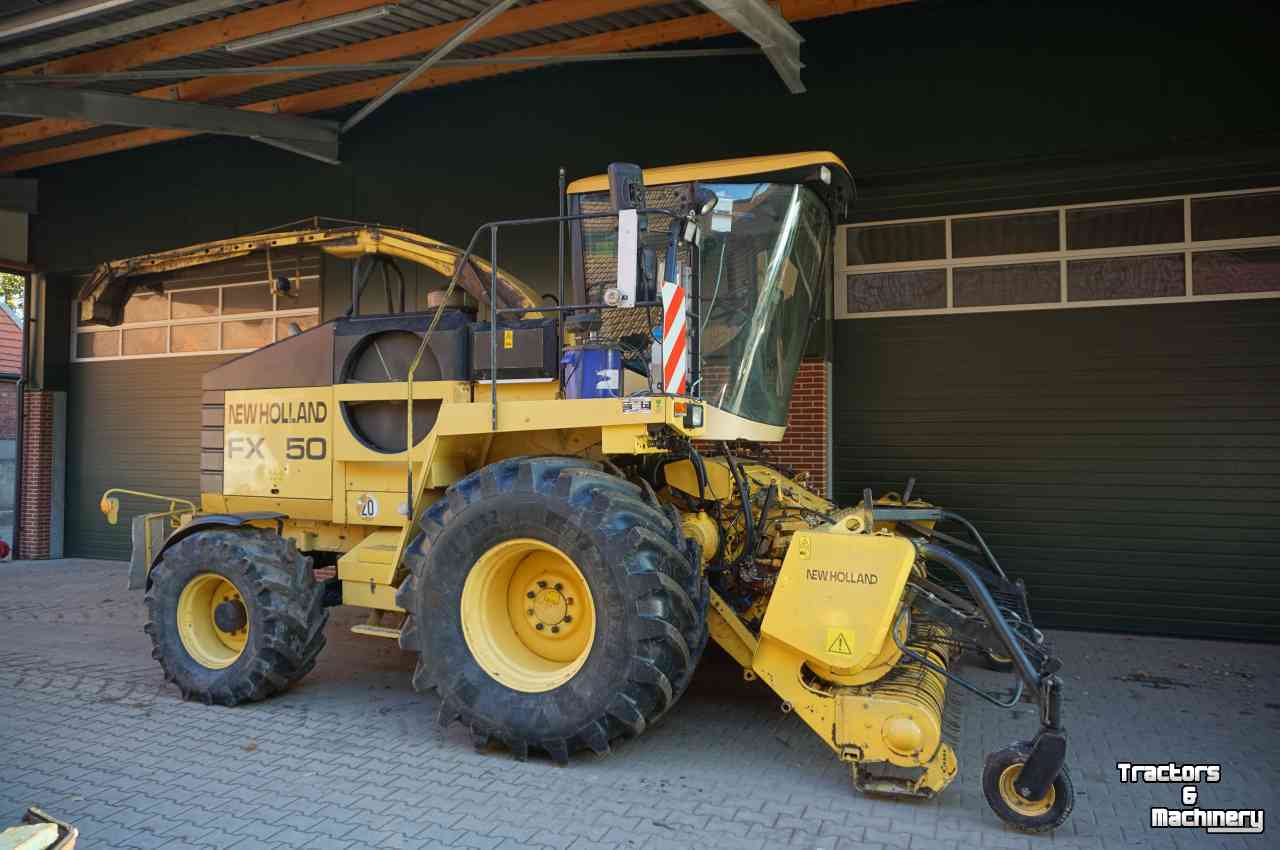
{"x": 557, "y": 505}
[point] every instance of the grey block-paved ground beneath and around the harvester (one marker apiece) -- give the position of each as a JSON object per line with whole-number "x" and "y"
{"x": 353, "y": 758}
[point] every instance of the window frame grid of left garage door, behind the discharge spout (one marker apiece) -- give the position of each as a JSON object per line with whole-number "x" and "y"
{"x": 275, "y": 314}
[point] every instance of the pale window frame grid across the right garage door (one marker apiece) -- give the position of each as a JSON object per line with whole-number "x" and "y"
{"x": 1188, "y": 248}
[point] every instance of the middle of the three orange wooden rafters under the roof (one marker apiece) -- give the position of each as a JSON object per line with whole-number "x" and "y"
{"x": 515, "y": 21}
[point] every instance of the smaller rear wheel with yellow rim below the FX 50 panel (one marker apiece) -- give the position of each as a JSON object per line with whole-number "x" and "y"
{"x": 235, "y": 615}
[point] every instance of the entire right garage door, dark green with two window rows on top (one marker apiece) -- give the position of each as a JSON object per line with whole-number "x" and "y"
{"x": 1096, "y": 386}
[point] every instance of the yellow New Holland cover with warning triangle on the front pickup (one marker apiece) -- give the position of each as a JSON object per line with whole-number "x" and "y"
{"x": 838, "y": 596}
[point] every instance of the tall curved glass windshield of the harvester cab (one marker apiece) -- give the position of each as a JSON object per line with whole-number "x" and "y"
{"x": 764, "y": 266}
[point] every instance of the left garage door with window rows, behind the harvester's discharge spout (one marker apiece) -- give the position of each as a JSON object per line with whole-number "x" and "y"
{"x": 135, "y": 390}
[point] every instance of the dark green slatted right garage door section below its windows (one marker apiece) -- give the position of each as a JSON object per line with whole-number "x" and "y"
{"x": 1124, "y": 461}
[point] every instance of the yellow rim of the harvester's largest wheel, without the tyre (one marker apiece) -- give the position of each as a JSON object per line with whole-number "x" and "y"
{"x": 528, "y": 615}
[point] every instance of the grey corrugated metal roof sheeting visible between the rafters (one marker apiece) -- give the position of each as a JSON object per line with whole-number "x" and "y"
{"x": 410, "y": 15}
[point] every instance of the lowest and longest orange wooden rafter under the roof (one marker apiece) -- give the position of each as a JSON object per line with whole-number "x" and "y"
{"x": 634, "y": 38}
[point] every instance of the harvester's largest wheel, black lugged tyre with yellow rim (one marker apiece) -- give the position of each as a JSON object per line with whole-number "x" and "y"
{"x": 529, "y": 546}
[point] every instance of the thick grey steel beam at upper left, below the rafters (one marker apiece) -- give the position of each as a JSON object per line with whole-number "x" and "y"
{"x": 307, "y": 136}
